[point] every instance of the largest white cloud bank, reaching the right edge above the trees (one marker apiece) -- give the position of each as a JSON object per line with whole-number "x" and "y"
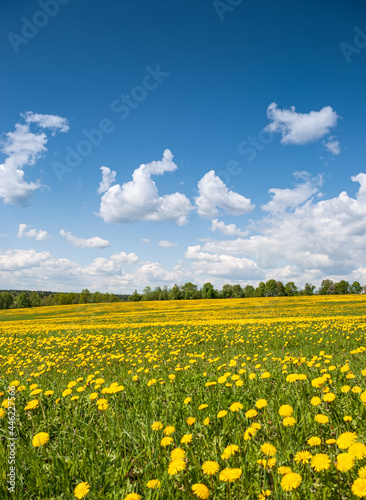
{"x": 318, "y": 237}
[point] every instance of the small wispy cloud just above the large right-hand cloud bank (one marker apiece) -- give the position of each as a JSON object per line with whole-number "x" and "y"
{"x": 291, "y": 198}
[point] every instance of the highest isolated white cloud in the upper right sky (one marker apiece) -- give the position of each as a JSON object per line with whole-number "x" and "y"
{"x": 300, "y": 128}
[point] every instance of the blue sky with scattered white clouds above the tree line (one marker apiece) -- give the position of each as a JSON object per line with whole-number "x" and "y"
{"x": 252, "y": 112}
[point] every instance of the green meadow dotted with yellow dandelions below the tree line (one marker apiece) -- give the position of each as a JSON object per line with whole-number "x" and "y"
{"x": 221, "y": 399}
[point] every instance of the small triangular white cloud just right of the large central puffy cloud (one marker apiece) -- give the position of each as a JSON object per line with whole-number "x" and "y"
{"x": 214, "y": 193}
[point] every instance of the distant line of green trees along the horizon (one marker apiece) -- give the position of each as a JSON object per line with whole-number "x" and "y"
{"x": 11, "y": 299}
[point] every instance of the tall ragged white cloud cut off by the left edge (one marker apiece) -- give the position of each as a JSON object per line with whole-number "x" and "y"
{"x": 23, "y": 147}
